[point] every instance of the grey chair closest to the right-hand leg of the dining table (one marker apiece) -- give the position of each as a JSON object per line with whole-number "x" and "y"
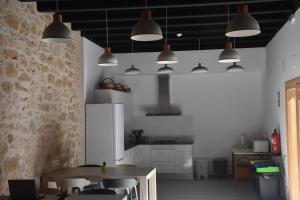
{"x": 129, "y": 184}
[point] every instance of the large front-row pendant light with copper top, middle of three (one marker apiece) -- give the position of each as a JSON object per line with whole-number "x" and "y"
{"x": 146, "y": 29}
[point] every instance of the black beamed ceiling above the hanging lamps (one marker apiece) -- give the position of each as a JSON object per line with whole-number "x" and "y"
{"x": 204, "y": 19}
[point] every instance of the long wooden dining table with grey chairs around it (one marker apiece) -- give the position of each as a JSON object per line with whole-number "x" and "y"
{"x": 145, "y": 176}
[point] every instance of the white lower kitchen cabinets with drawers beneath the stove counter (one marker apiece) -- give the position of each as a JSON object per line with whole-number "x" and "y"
{"x": 165, "y": 158}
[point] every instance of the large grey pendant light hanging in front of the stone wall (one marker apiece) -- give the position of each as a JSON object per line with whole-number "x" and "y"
{"x": 57, "y": 32}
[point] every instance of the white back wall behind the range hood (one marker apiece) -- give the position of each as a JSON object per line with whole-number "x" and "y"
{"x": 222, "y": 105}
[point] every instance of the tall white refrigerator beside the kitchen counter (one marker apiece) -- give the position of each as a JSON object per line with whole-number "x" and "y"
{"x": 104, "y": 134}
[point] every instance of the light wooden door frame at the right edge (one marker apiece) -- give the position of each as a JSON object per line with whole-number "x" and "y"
{"x": 292, "y": 89}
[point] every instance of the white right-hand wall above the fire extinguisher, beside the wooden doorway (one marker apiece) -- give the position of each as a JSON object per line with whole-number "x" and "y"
{"x": 282, "y": 64}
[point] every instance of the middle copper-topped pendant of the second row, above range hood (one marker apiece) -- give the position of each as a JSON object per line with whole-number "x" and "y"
{"x": 166, "y": 56}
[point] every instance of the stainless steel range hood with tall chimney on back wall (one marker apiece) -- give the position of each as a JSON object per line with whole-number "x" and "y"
{"x": 165, "y": 108}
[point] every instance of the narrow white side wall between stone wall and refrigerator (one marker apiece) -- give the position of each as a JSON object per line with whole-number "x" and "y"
{"x": 91, "y": 74}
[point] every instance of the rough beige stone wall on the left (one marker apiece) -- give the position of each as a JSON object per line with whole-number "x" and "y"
{"x": 39, "y": 95}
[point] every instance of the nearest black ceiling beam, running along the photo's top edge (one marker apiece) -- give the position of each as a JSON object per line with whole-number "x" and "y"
{"x": 84, "y": 6}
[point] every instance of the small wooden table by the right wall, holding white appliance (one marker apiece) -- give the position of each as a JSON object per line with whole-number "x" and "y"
{"x": 242, "y": 153}
